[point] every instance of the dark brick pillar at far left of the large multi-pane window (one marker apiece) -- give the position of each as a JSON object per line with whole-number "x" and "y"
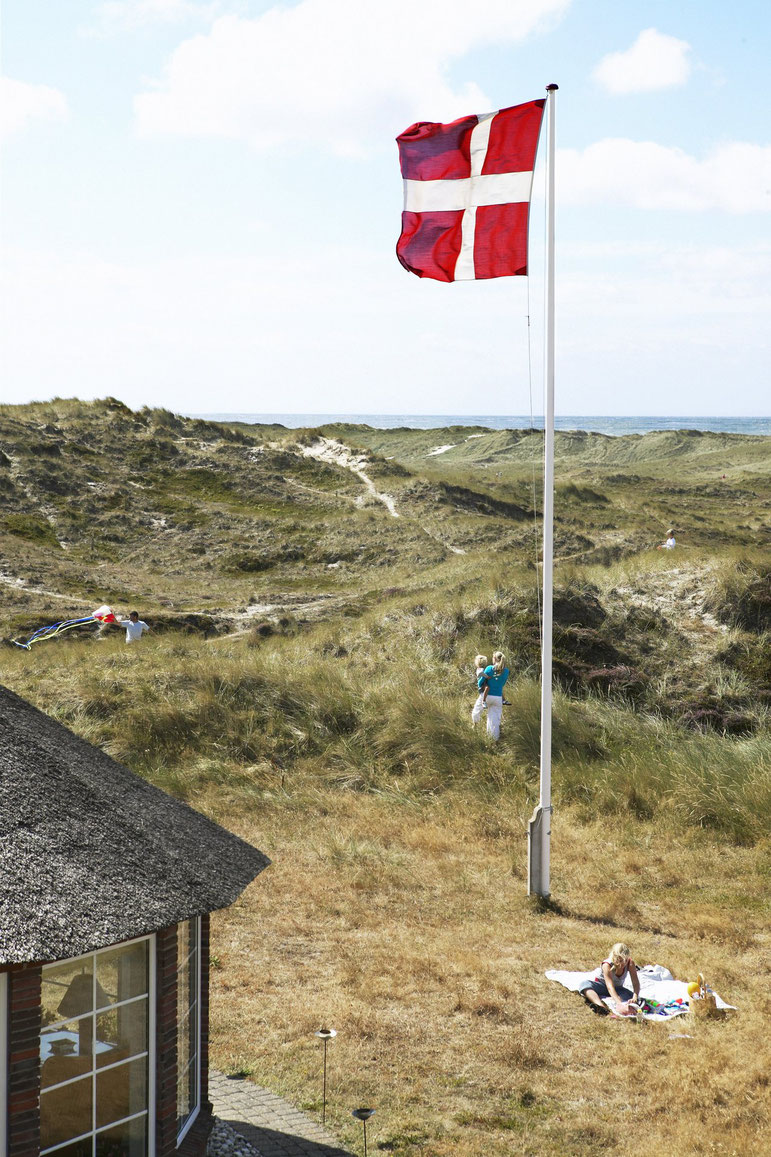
{"x": 25, "y": 1062}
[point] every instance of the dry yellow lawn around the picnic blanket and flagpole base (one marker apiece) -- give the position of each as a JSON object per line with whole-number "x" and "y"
{"x": 407, "y": 928}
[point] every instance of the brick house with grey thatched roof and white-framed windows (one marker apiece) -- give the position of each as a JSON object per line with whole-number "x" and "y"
{"x": 106, "y": 888}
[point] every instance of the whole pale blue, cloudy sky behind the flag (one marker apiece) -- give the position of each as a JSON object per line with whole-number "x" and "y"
{"x": 201, "y": 202}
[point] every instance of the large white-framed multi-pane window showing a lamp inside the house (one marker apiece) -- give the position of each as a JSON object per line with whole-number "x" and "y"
{"x": 97, "y": 1041}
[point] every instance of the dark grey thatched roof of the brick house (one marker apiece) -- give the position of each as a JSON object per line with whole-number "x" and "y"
{"x": 91, "y": 854}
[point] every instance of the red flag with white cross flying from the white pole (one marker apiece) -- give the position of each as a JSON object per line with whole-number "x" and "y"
{"x": 467, "y": 195}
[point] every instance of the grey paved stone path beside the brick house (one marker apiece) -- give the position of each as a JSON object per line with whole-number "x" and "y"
{"x": 270, "y": 1124}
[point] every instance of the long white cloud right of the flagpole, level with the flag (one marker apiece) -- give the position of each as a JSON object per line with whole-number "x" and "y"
{"x": 735, "y": 178}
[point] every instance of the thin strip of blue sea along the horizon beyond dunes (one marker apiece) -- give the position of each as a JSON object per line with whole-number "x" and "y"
{"x": 598, "y": 425}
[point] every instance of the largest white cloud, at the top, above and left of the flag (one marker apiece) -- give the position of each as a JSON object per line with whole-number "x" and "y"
{"x": 336, "y": 73}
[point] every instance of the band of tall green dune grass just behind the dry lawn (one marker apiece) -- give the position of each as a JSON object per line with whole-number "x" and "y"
{"x": 182, "y": 708}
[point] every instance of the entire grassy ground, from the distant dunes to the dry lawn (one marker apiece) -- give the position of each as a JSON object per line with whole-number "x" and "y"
{"x": 333, "y": 731}
